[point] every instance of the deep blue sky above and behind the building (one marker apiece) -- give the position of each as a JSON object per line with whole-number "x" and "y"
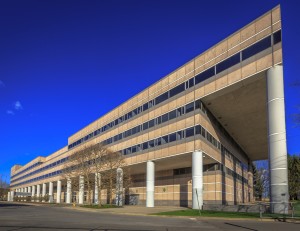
{"x": 63, "y": 63}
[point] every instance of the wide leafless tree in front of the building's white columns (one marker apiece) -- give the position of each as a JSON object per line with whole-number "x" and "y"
{"x": 96, "y": 160}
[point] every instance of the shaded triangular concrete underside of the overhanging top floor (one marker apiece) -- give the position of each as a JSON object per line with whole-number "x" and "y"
{"x": 242, "y": 110}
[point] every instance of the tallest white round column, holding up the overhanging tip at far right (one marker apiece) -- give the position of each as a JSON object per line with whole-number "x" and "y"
{"x": 277, "y": 141}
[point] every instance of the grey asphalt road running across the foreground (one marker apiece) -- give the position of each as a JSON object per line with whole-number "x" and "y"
{"x": 27, "y": 217}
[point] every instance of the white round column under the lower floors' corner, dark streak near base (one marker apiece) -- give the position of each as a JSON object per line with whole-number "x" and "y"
{"x": 197, "y": 180}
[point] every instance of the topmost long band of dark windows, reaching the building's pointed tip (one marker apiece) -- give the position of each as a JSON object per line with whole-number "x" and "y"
{"x": 225, "y": 64}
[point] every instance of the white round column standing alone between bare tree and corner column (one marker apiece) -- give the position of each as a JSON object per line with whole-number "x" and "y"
{"x": 150, "y": 184}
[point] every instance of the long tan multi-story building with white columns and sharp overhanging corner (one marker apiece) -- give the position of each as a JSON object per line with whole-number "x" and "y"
{"x": 191, "y": 137}
